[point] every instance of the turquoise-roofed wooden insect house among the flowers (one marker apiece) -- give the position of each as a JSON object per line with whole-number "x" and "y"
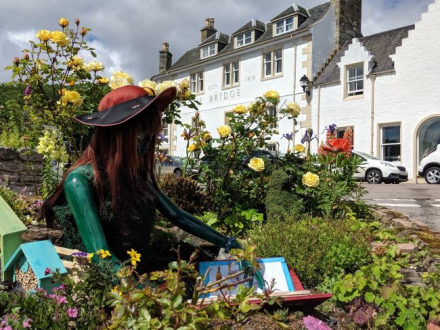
{"x": 29, "y": 263}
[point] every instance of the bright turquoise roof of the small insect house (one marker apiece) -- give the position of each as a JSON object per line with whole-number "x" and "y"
{"x": 40, "y": 255}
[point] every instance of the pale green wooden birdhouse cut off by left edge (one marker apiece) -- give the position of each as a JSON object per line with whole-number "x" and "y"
{"x": 11, "y": 228}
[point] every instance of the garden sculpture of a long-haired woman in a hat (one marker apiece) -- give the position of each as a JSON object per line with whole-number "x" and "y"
{"x": 111, "y": 190}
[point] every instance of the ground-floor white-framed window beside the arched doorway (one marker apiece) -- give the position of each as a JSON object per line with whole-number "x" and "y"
{"x": 390, "y": 142}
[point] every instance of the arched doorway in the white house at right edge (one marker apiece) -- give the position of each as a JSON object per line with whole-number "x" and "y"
{"x": 428, "y": 137}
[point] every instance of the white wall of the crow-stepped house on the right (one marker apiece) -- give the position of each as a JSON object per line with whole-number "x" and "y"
{"x": 407, "y": 96}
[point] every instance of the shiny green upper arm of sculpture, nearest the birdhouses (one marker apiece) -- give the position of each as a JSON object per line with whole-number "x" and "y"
{"x": 79, "y": 195}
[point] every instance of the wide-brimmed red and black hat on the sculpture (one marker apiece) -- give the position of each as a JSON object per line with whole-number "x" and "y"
{"x": 124, "y": 103}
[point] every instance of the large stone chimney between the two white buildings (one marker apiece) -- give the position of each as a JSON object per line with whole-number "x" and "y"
{"x": 348, "y": 19}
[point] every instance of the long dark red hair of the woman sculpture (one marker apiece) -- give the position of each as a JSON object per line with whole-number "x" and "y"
{"x": 119, "y": 171}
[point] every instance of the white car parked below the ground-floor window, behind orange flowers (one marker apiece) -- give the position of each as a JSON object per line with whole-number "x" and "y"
{"x": 374, "y": 170}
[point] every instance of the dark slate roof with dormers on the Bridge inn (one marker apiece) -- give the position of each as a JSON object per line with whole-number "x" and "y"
{"x": 192, "y": 56}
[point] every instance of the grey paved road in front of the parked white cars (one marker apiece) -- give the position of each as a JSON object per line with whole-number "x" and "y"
{"x": 418, "y": 201}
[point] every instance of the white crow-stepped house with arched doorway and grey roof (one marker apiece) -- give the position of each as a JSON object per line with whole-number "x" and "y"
{"x": 386, "y": 87}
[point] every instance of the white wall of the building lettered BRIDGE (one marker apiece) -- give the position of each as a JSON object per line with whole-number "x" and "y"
{"x": 215, "y": 101}
